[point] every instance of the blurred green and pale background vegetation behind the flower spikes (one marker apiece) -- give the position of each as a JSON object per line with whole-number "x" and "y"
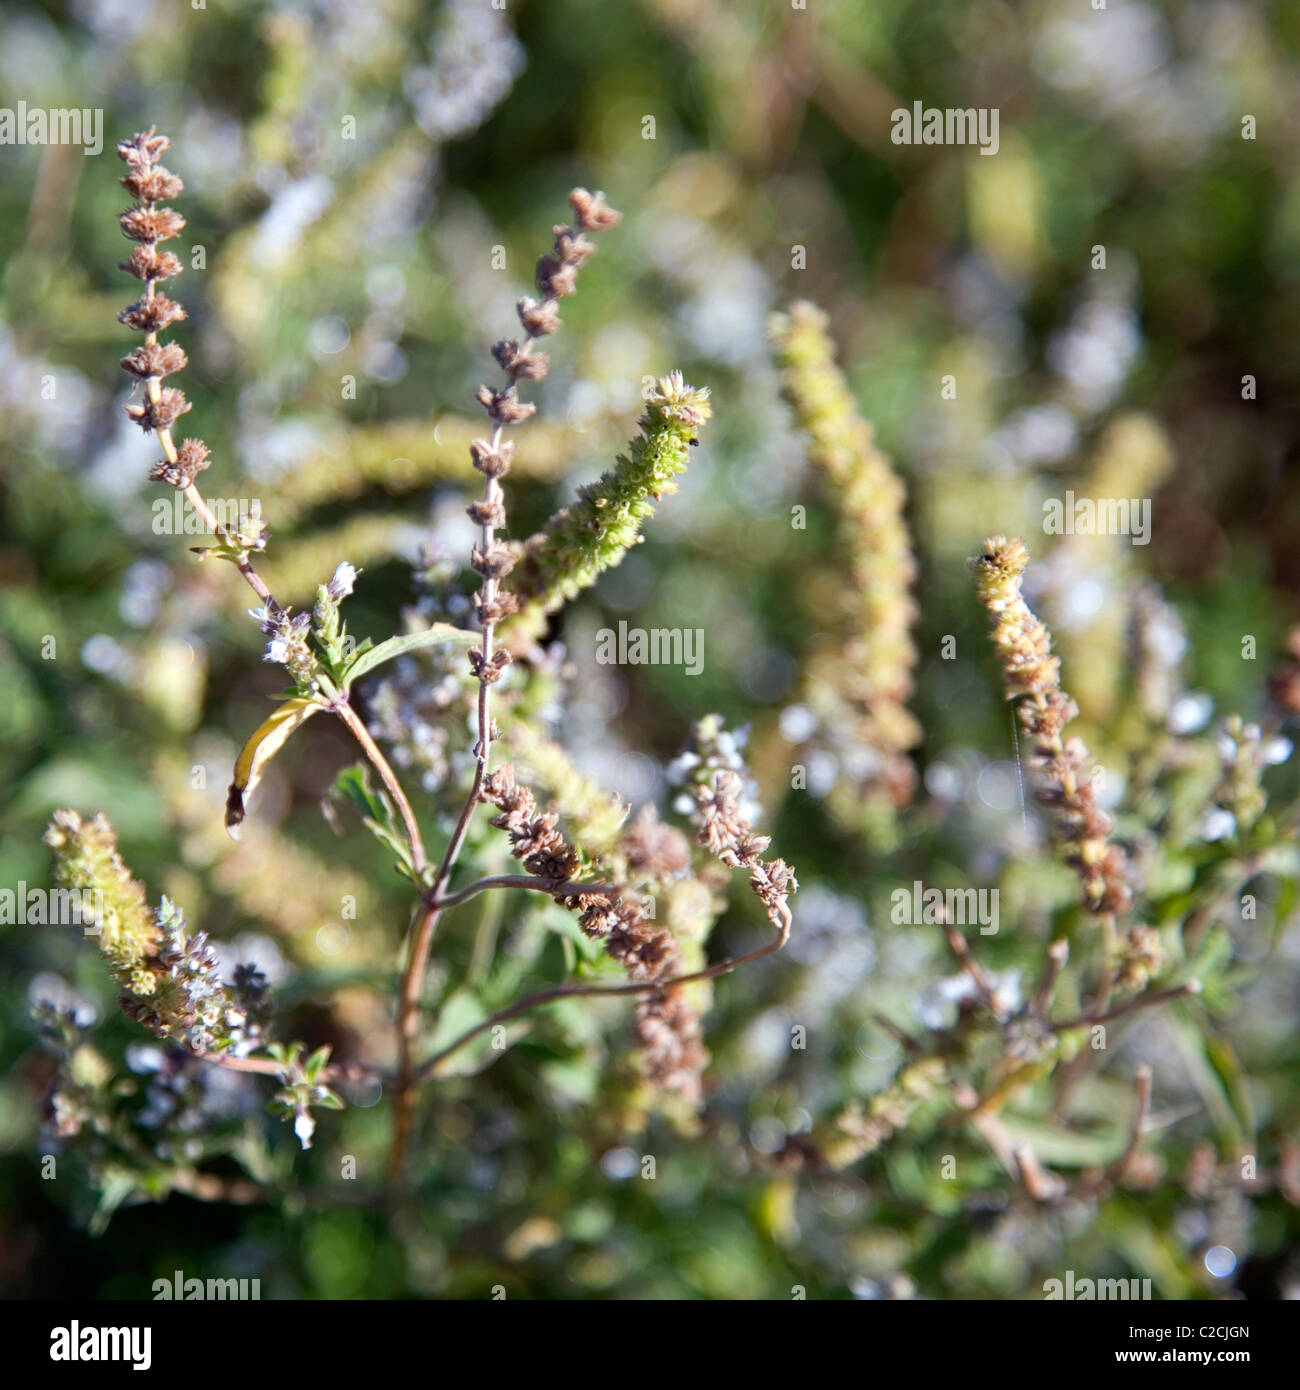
{"x": 351, "y": 172}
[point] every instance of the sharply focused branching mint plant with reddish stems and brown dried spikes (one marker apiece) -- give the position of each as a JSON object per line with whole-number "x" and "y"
{"x": 170, "y": 979}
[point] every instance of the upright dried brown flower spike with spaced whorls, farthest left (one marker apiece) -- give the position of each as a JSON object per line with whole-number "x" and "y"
{"x": 149, "y": 226}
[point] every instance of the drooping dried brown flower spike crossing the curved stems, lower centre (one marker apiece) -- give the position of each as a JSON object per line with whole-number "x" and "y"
{"x": 667, "y": 1027}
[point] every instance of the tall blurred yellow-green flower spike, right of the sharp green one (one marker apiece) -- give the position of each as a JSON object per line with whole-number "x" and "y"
{"x": 874, "y": 673}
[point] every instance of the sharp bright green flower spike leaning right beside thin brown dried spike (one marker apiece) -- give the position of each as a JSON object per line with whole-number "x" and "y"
{"x": 600, "y": 529}
